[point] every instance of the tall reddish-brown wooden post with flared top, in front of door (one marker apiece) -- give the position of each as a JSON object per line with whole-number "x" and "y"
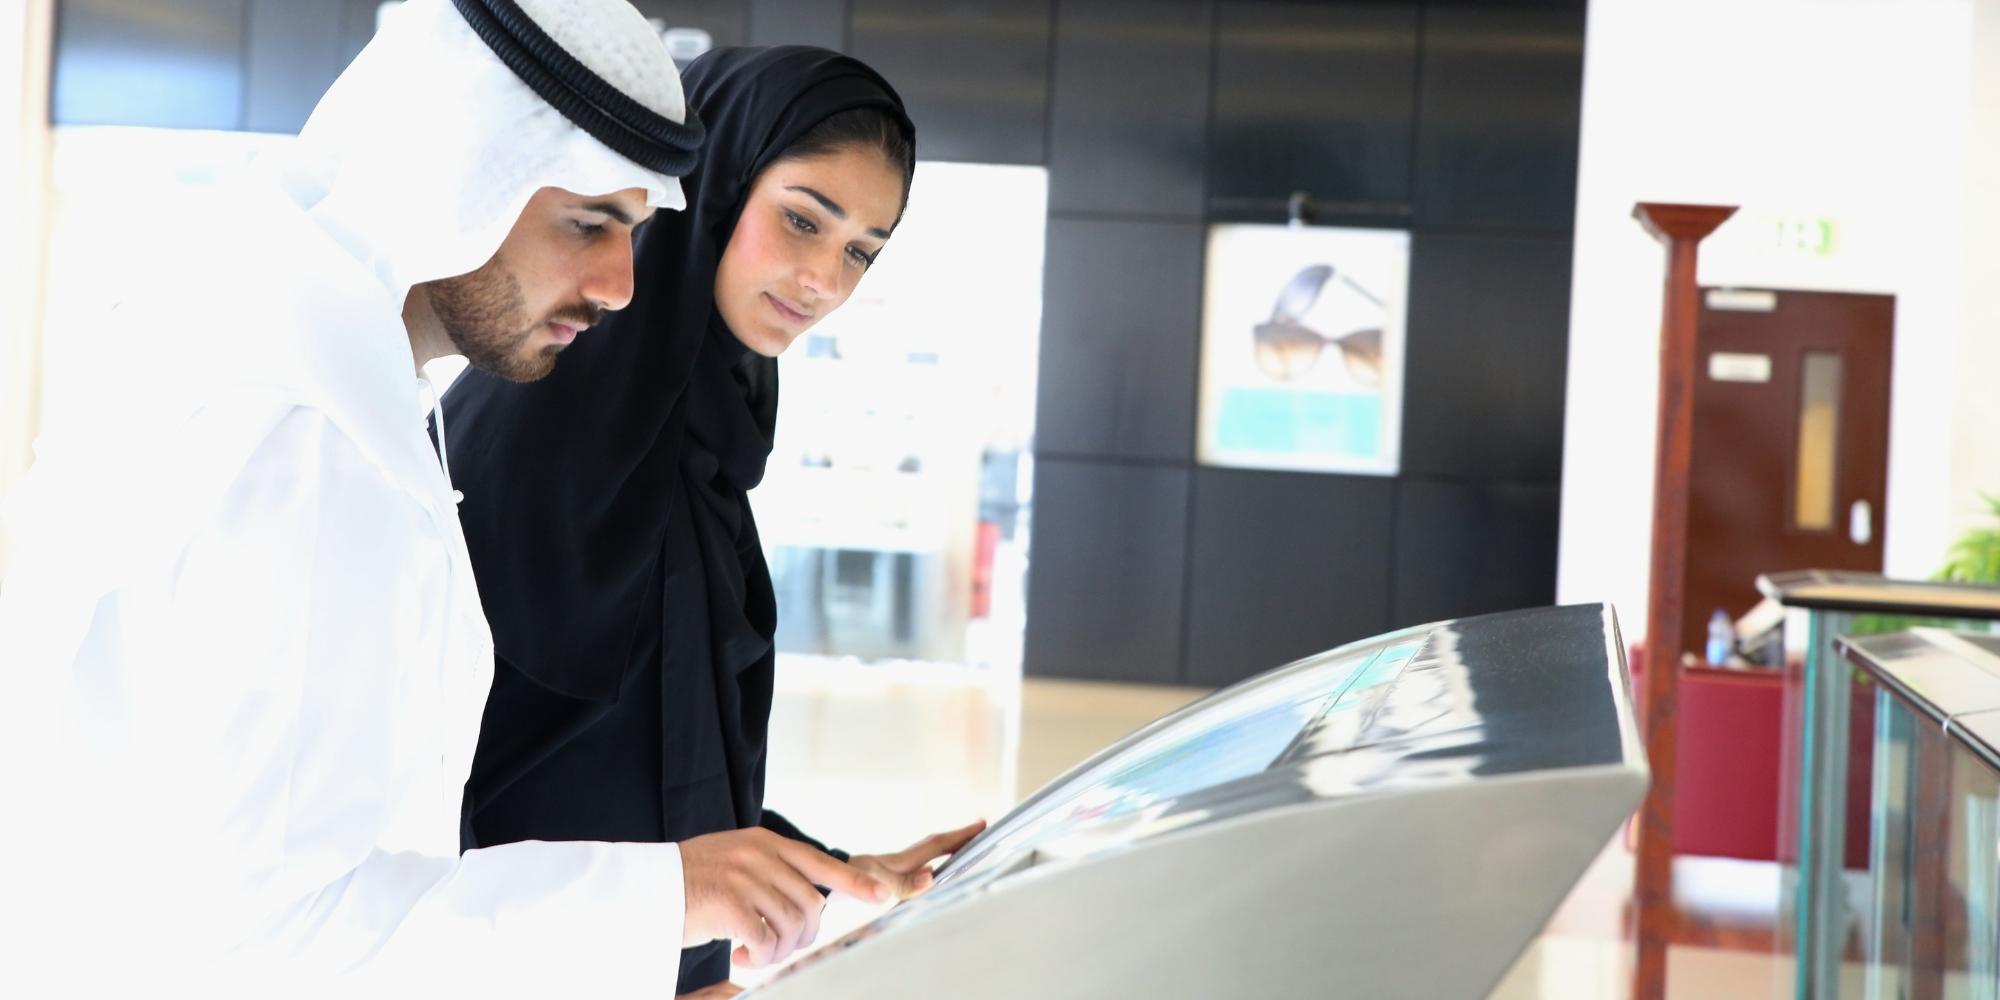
{"x": 1681, "y": 227}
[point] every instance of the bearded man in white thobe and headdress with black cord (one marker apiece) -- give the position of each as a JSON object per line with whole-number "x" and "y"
{"x": 243, "y": 643}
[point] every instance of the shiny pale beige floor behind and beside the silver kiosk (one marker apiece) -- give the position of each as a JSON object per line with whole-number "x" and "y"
{"x": 875, "y": 757}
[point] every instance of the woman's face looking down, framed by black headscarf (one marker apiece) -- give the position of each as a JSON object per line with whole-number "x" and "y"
{"x": 807, "y": 237}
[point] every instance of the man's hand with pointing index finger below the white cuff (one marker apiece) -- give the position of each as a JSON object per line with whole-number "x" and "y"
{"x": 761, "y": 891}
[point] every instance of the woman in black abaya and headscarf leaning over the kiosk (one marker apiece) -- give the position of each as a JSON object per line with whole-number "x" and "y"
{"x": 607, "y": 505}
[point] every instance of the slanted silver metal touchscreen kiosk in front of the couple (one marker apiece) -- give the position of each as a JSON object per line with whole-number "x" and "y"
{"x": 1391, "y": 819}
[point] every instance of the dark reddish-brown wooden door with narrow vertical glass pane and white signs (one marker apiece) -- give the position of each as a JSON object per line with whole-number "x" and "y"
{"x": 1791, "y": 443}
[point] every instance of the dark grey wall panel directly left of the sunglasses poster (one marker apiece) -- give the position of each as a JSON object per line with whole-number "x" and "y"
{"x": 1121, "y": 329}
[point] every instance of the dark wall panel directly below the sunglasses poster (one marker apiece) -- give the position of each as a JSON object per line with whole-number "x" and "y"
{"x": 1283, "y": 565}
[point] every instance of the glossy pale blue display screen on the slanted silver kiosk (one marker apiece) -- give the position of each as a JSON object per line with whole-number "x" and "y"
{"x": 1233, "y": 739}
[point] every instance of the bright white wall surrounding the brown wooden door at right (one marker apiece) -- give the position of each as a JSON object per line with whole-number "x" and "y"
{"x": 1855, "y": 111}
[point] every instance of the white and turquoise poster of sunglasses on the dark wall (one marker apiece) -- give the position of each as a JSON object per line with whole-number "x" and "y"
{"x": 1303, "y": 333}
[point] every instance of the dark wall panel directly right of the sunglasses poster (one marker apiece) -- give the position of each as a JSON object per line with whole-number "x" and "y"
{"x": 1487, "y": 357}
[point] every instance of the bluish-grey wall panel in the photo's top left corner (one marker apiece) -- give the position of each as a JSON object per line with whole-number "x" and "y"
{"x": 141, "y": 63}
